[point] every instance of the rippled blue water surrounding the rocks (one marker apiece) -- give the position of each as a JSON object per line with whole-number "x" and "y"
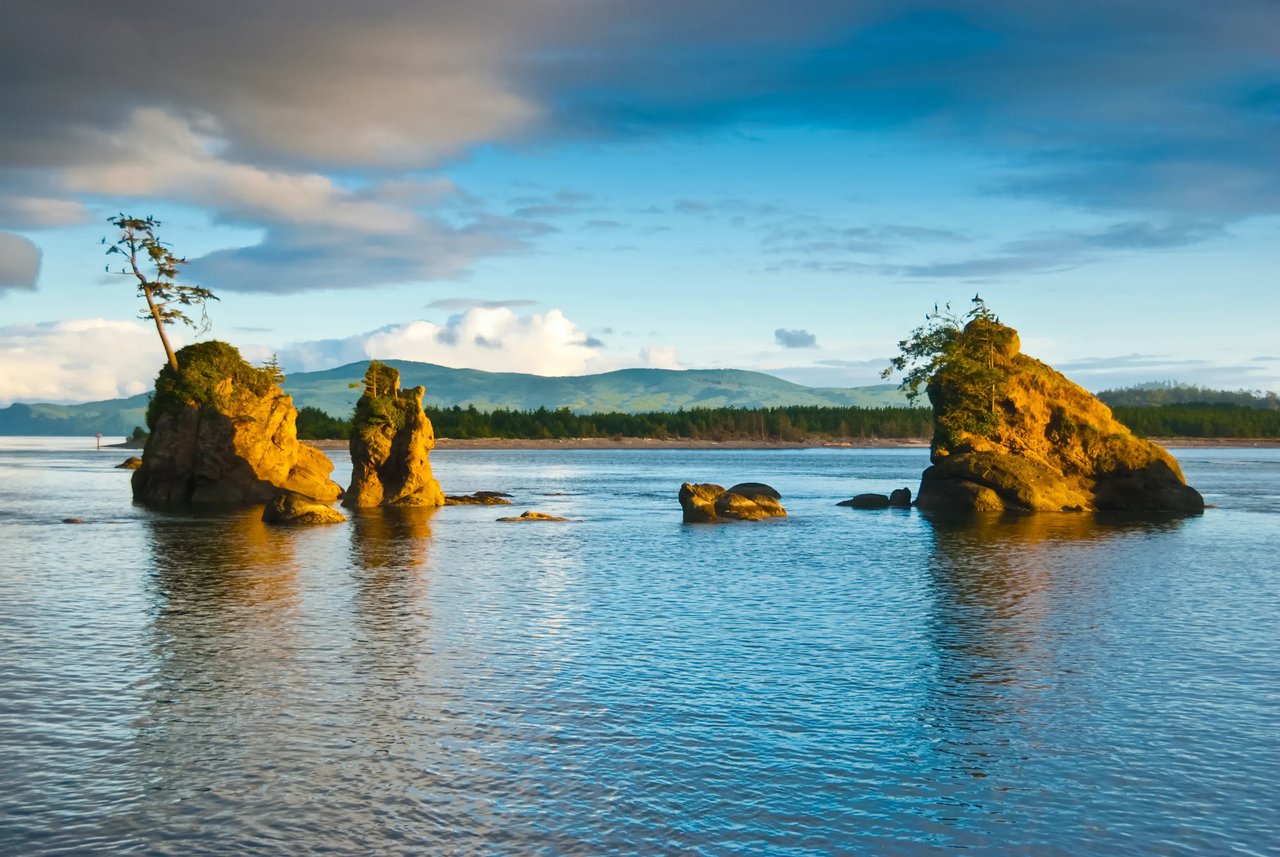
{"x": 839, "y": 682}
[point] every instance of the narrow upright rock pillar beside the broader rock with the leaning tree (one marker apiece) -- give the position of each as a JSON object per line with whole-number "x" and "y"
{"x": 391, "y": 443}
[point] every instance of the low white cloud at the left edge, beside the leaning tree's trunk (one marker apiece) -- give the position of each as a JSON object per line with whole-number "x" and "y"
{"x": 77, "y": 361}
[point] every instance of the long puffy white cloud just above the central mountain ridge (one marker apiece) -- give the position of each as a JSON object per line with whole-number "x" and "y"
{"x": 491, "y": 340}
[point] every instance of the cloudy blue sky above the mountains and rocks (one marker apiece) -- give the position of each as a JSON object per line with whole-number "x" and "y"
{"x": 566, "y": 187}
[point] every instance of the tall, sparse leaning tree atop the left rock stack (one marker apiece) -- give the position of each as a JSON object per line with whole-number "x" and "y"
{"x": 164, "y": 295}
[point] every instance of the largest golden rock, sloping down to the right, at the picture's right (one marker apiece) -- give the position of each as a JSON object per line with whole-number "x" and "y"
{"x": 1023, "y": 438}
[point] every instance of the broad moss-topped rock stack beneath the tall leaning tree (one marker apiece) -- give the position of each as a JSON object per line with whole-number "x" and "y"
{"x": 225, "y": 433}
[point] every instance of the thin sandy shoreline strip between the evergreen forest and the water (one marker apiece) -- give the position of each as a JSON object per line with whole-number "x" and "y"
{"x": 680, "y": 443}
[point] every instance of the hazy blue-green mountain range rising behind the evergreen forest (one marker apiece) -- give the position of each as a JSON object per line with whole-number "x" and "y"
{"x": 629, "y": 391}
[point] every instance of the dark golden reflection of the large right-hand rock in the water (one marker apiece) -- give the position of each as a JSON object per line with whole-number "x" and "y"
{"x": 1007, "y": 659}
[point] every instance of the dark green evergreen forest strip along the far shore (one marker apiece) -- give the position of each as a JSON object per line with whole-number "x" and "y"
{"x": 797, "y": 424}
